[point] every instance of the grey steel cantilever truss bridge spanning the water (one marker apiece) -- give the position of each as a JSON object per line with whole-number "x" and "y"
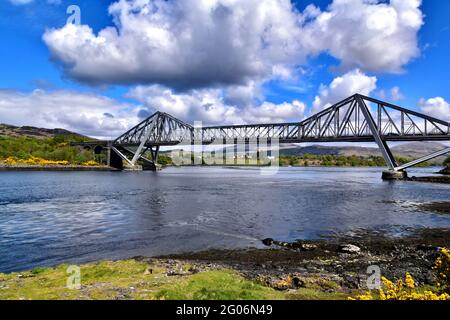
{"x": 355, "y": 119}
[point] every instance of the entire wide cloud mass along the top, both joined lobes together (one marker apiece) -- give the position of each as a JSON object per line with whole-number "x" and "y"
{"x": 193, "y": 44}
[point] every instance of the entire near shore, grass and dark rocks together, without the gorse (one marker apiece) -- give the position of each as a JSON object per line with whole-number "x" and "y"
{"x": 316, "y": 269}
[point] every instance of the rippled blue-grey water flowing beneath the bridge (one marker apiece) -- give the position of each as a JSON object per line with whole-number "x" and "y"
{"x": 47, "y": 218}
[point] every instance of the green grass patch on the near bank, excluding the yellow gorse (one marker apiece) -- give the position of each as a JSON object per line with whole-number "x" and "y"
{"x": 131, "y": 279}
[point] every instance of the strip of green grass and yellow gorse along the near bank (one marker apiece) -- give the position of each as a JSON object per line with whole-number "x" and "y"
{"x": 133, "y": 279}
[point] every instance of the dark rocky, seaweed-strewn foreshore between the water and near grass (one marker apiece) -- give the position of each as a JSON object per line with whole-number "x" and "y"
{"x": 333, "y": 266}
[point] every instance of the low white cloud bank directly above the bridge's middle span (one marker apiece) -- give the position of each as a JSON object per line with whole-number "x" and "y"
{"x": 210, "y": 107}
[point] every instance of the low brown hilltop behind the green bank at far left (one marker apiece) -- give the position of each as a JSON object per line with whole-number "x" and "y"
{"x": 33, "y": 132}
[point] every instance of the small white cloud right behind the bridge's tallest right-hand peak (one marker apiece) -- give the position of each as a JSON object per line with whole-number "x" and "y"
{"x": 342, "y": 87}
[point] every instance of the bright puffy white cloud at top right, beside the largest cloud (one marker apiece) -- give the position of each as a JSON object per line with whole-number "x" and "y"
{"x": 372, "y": 35}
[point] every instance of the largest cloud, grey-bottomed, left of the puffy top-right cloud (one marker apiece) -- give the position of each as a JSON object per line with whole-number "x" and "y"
{"x": 182, "y": 43}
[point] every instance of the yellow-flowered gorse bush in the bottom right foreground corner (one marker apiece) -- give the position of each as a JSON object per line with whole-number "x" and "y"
{"x": 406, "y": 290}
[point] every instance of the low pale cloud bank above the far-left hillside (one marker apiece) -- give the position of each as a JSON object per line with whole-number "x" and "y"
{"x": 88, "y": 114}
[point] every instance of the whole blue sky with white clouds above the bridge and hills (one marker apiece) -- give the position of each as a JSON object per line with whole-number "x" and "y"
{"x": 216, "y": 61}
